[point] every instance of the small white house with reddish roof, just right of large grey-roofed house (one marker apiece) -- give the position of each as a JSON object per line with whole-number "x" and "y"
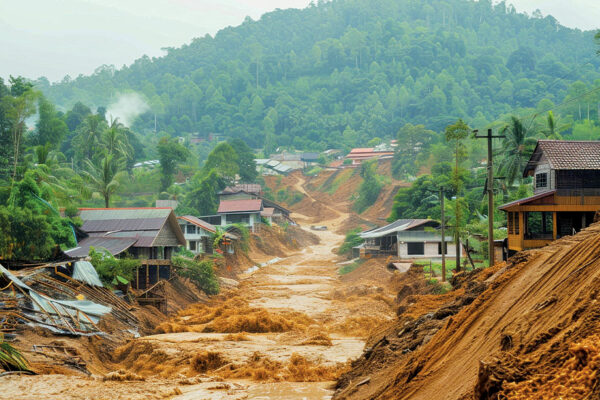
{"x": 199, "y": 235}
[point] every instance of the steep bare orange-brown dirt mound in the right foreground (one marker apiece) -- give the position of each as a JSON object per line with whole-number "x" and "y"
{"x": 526, "y": 325}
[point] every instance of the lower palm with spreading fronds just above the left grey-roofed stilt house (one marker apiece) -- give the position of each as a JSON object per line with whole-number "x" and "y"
{"x": 104, "y": 178}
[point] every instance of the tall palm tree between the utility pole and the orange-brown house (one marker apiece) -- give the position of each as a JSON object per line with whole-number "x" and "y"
{"x": 517, "y": 148}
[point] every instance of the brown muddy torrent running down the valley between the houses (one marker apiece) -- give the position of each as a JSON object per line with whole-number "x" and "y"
{"x": 326, "y": 328}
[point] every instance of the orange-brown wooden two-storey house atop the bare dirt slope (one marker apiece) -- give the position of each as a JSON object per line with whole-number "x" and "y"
{"x": 566, "y": 180}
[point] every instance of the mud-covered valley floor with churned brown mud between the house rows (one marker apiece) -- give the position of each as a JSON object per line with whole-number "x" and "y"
{"x": 287, "y": 331}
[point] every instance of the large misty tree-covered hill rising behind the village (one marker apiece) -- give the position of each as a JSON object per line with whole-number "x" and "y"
{"x": 345, "y": 71}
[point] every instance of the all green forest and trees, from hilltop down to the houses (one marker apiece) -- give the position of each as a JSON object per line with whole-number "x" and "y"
{"x": 337, "y": 74}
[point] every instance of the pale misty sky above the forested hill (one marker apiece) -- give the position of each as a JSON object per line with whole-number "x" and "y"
{"x": 53, "y": 38}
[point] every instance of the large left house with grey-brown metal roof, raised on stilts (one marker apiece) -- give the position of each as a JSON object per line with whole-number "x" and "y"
{"x": 148, "y": 234}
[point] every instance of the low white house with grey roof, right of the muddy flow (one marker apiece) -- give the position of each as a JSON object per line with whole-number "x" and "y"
{"x": 407, "y": 239}
